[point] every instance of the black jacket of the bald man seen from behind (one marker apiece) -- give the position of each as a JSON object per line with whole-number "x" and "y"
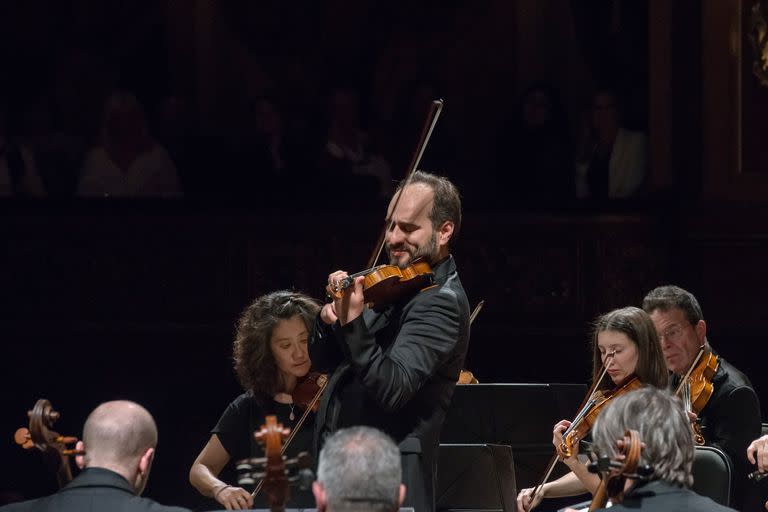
{"x": 93, "y": 490}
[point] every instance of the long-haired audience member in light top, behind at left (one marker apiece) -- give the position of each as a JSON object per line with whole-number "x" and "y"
{"x": 129, "y": 163}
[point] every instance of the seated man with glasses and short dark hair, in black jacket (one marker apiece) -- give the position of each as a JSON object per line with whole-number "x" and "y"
{"x": 731, "y": 417}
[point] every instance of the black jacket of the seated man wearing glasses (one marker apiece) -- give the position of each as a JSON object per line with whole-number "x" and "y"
{"x": 730, "y": 421}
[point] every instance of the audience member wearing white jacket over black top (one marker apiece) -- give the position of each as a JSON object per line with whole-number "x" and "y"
{"x": 613, "y": 159}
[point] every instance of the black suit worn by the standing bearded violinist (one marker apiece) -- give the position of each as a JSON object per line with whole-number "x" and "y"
{"x": 396, "y": 370}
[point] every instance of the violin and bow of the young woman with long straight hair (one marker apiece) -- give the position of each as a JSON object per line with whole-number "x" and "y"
{"x": 590, "y": 409}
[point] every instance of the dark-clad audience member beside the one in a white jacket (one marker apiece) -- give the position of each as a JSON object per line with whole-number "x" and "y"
{"x": 534, "y": 154}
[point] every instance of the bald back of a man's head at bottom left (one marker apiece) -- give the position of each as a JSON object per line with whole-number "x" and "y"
{"x": 116, "y": 434}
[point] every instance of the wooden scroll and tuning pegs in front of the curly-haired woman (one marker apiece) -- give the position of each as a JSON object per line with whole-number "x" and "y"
{"x": 273, "y": 469}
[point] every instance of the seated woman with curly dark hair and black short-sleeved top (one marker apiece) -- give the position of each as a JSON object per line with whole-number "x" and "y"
{"x": 270, "y": 355}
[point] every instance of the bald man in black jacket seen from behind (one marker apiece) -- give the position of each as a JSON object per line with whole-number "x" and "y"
{"x": 119, "y": 439}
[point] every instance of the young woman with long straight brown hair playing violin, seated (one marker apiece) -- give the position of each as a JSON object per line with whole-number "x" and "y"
{"x": 624, "y": 341}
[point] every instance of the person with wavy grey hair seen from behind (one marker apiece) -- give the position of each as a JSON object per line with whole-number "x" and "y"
{"x": 667, "y": 447}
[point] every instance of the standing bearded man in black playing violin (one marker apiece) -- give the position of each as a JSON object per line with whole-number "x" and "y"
{"x": 395, "y": 368}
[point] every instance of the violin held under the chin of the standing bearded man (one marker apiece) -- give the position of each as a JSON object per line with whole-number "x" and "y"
{"x": 385, "y": 284}
